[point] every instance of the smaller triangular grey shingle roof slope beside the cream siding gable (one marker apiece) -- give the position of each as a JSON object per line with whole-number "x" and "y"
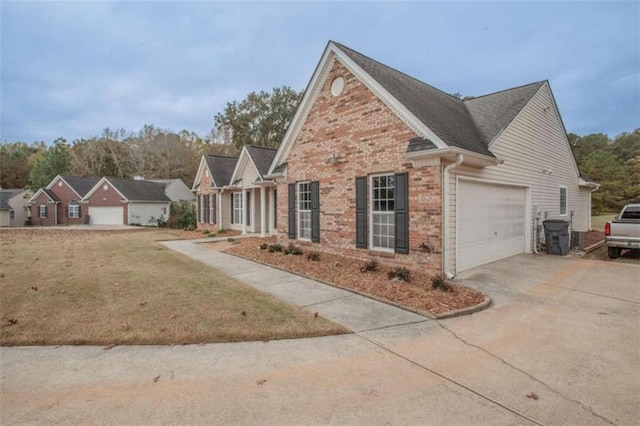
{"x": 492, "y": 113}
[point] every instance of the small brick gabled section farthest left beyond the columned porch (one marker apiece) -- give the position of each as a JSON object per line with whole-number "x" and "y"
{"x": 214, "y": 173}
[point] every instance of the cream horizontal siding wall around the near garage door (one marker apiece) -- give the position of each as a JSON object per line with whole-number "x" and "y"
{"x": 535, "y": 154}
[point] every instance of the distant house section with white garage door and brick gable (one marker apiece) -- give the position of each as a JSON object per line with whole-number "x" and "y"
{"x": 114, "y": 201}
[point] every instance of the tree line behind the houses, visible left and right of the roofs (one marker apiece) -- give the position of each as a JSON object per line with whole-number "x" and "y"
{"x": 262, "y": 119}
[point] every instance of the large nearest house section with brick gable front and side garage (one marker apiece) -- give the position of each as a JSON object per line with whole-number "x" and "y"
{"x": 376, "y": 164}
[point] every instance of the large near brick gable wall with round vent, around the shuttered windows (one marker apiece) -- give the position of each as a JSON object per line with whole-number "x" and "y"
{"x": 368, "y": 138}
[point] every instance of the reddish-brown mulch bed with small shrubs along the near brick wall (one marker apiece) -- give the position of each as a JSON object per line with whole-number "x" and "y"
{"x": 345, "y": 272}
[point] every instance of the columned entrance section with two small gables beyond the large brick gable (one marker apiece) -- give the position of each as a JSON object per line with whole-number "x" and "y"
{"x": 233, "y": 193}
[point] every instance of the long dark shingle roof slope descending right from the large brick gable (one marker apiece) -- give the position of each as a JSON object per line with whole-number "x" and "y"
{"x": 444, "y": 114}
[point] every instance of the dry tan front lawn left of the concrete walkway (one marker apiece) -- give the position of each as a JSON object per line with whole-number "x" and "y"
{"x": 113, "y": 288}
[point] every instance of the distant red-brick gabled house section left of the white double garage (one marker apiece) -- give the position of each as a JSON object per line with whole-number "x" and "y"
{"x": 61, "y": 201}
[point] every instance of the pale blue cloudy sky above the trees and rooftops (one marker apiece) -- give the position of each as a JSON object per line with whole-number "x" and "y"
{"x": 70, "y": 69}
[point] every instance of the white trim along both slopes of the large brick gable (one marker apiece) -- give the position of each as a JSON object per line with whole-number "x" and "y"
{"x": 330, "y": 54}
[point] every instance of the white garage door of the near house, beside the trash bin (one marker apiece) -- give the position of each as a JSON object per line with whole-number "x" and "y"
{"x": 491, "y": 223}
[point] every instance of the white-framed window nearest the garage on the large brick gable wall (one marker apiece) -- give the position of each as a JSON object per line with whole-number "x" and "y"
{"x": 382, "y": 199}
